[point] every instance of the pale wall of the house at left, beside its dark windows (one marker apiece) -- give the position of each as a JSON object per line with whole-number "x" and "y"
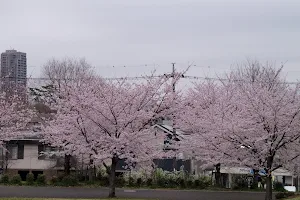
{"x": 31, "y": 160}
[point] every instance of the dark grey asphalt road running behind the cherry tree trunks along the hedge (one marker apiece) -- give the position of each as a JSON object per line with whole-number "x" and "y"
{"x": 74, "y": 192}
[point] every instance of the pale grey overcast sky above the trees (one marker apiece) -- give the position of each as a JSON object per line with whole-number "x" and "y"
{"x": 136, "y": 33}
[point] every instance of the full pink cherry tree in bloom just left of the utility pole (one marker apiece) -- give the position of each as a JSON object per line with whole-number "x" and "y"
{"x": 112, "y": 120}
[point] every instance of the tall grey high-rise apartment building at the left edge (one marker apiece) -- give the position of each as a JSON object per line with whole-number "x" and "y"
{"x": 13, "y": 70}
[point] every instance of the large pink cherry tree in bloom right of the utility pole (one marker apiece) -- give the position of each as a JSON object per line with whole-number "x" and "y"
{"x": 251, "y": 119}
